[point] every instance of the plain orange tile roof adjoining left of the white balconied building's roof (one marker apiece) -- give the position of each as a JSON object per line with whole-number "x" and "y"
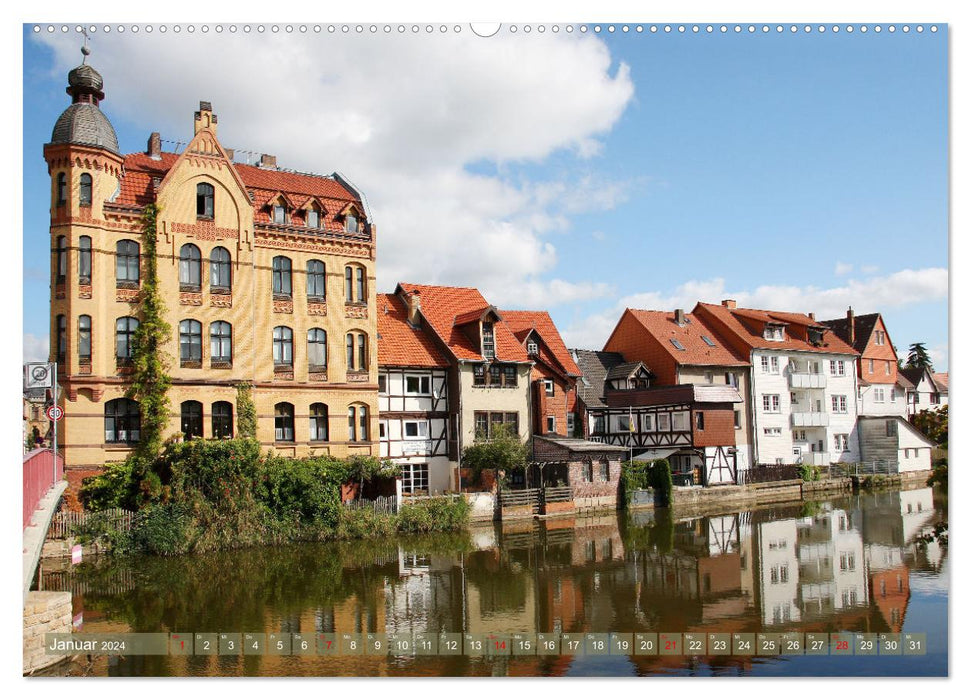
{"x": 662, "y": 326}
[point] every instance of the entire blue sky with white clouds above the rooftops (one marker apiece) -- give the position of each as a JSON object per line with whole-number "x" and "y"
{"x": 801, "y": 172}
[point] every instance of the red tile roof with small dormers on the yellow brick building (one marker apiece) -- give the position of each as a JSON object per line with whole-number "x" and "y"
{"x": 264, "y": 184}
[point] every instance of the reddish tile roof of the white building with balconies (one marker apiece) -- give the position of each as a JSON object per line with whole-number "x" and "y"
{"x": 745, "y": 328}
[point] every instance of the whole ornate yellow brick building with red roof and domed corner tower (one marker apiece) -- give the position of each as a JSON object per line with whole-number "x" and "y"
{"x": 268, "y": 277}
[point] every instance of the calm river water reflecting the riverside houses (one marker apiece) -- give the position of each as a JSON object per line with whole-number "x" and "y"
{"x": 848, "y": 564}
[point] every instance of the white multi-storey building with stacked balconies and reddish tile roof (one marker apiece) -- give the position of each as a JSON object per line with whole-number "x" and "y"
{"x": 804, "y": 383}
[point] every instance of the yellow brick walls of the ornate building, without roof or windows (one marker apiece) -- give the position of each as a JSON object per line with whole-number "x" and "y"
{"x": 251, "y": 308}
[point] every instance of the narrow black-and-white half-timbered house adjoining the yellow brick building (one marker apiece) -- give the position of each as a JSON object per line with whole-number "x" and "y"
{"x": 413, "y": 398}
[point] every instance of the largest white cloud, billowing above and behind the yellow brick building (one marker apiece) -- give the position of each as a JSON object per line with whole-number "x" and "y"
{"x": 403, "y": 117}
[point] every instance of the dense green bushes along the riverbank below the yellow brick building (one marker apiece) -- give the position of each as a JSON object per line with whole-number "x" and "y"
{"x": 210, "y": 495}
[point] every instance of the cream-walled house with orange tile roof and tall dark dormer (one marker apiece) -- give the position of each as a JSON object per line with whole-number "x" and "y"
{"x": 488, "y": 368}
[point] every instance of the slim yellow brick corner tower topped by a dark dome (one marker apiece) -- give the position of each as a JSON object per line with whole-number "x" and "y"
{"x": 85, "y": 167}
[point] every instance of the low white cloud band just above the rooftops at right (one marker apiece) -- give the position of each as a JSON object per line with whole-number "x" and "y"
{"x": 900, "y": 289}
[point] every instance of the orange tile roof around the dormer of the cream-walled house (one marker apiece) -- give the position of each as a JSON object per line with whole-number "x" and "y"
{"x": 440, "y": 306}
